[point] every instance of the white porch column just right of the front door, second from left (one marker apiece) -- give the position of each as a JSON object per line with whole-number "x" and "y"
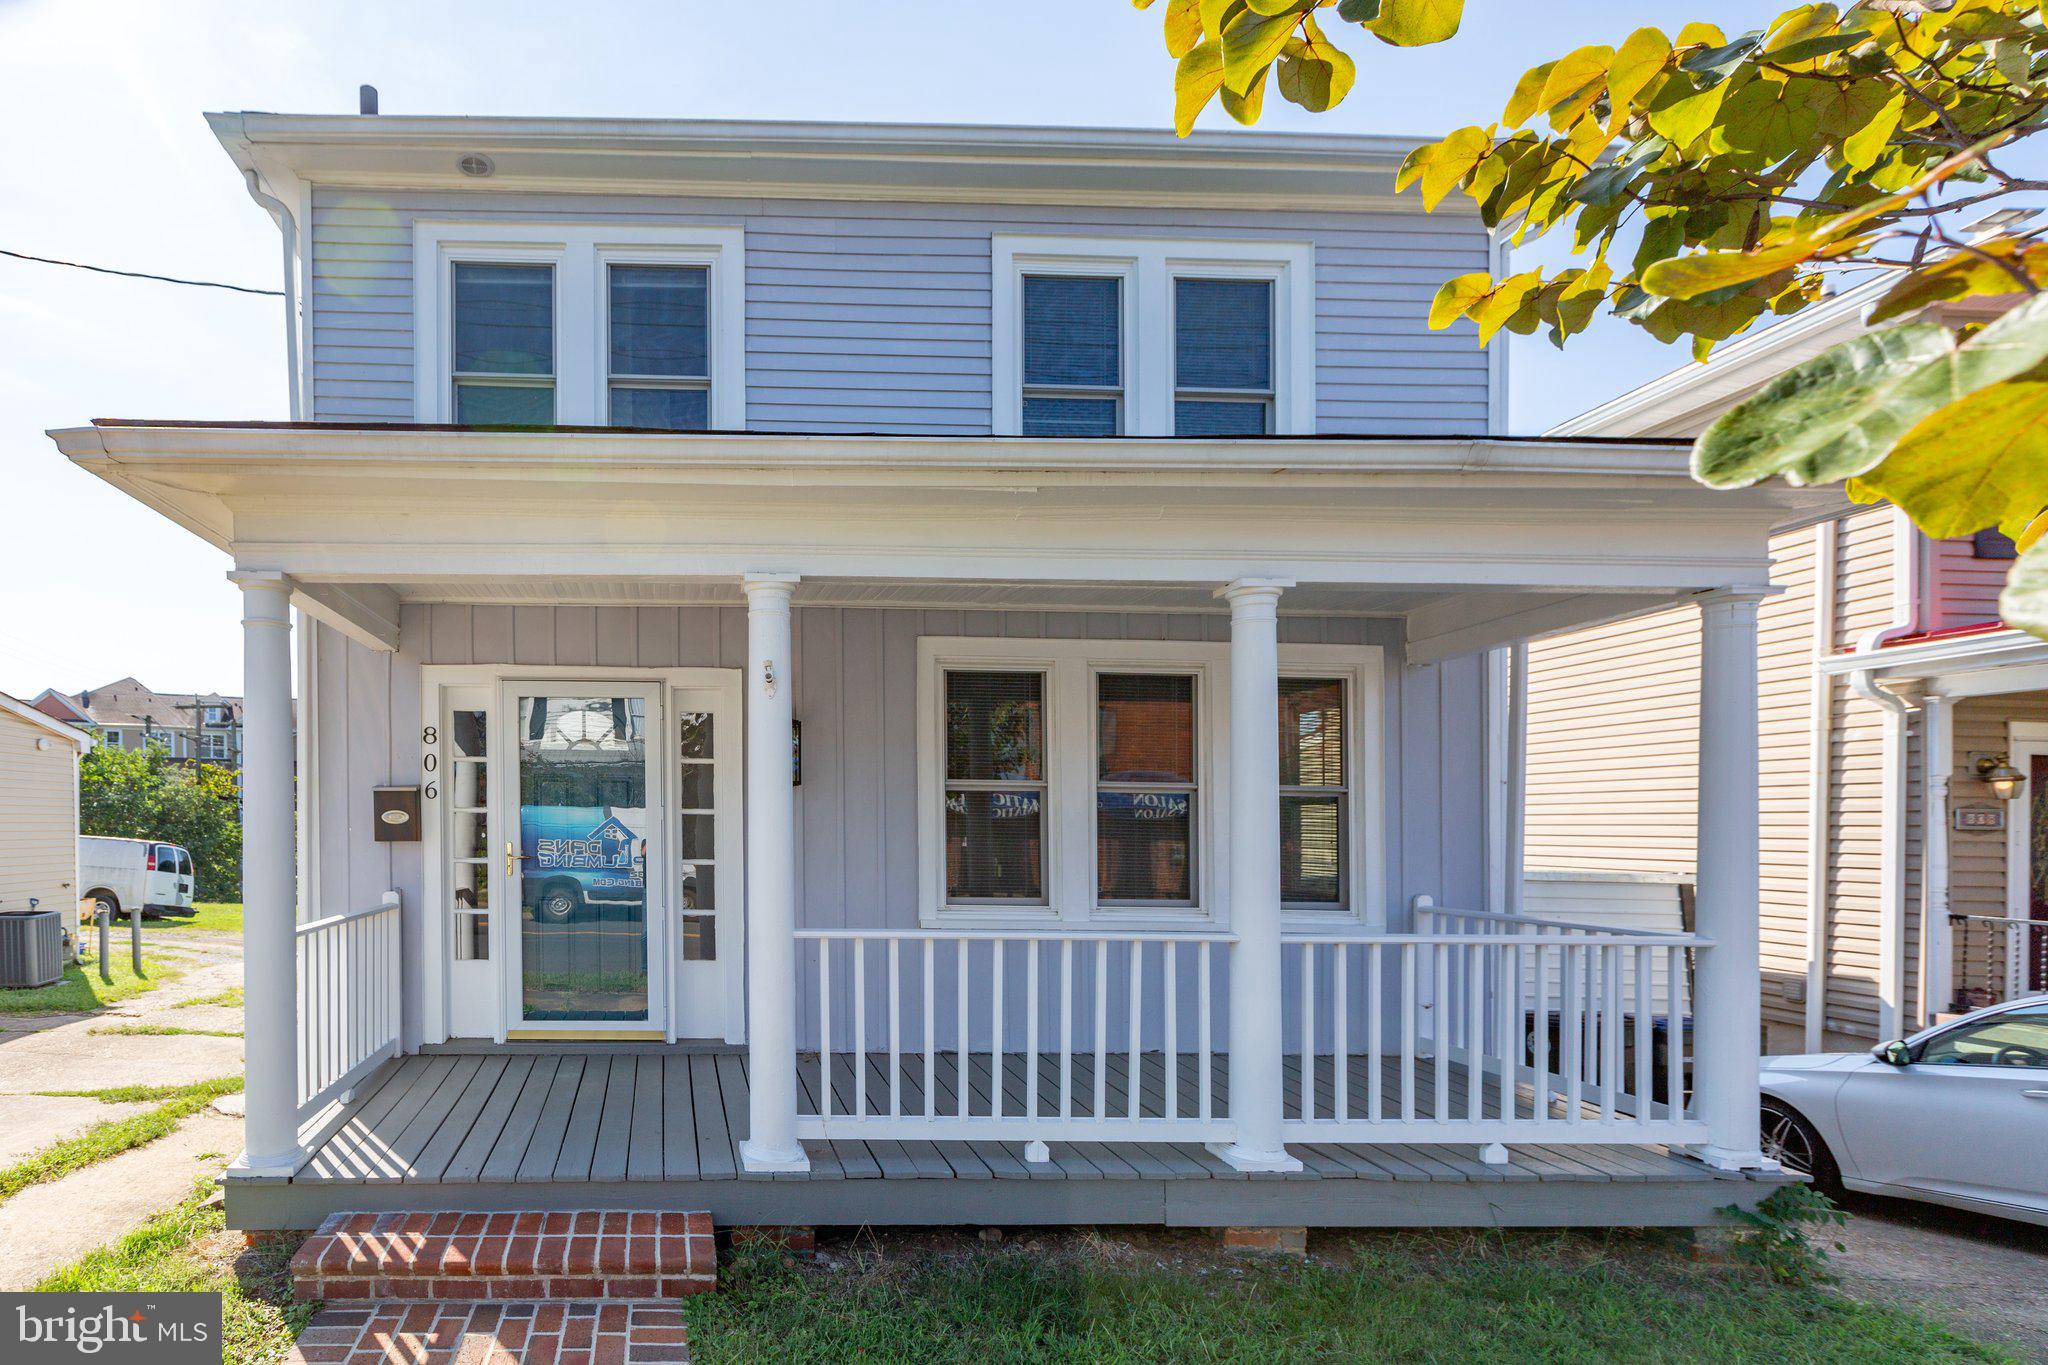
{"x": 771, "y": 883}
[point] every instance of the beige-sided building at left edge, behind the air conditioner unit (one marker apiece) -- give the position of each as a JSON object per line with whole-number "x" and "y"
{"x": 38, "y": 809}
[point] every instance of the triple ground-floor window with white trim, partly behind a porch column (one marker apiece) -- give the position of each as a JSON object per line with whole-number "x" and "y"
{"x": 1080, "y": 781}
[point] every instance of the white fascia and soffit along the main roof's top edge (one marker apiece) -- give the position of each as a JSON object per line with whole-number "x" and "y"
{"x": 833, "y": 161}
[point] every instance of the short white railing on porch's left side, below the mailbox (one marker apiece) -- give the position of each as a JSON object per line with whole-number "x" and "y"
{"x": 349, "y": 1000}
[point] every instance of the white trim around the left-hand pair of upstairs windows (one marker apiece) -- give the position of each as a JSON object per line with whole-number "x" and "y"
{"x": 583, "y": 347}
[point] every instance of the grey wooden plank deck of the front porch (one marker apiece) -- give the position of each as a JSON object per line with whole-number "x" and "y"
{"x": 550, "y": 1127}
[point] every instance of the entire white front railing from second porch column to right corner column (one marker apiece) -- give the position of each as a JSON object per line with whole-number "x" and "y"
{"x": 1476, "y": 1030}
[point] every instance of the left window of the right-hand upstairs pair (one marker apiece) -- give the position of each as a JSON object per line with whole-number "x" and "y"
{"x": 1074, "y": 355}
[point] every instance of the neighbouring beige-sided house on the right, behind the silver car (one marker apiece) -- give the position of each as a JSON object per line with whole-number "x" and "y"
{"x": 1887, "y": 689}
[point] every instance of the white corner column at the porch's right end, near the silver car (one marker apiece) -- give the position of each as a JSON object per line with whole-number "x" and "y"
{"x": 1727, "y": 992}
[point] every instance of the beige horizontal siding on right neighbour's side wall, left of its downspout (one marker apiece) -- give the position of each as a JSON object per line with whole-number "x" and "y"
{"x": 1615, "y": 750}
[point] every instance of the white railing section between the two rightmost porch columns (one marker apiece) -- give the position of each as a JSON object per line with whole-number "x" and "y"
{"x": 1494, "y": 1028}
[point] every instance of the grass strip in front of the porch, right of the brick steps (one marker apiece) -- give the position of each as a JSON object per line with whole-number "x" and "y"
{"x": 1385, "y": 1298}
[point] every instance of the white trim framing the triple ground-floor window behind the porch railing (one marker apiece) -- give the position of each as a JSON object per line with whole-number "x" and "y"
{"x": 1070, "y": 738}
